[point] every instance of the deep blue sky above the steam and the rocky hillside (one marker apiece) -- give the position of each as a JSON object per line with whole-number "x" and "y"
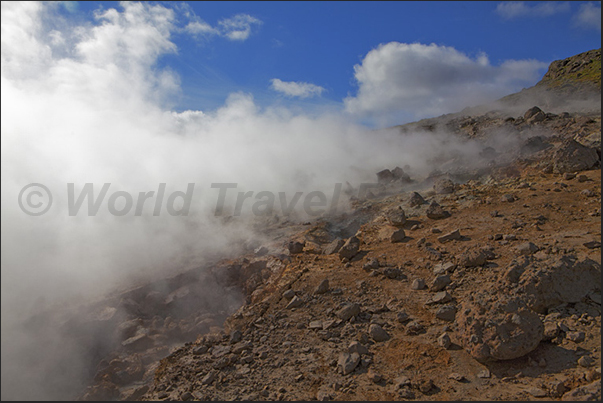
{"x": 321, "y": 42}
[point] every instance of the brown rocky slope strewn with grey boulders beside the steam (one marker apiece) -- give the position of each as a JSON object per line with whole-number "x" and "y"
{"x": 478, "y": 281}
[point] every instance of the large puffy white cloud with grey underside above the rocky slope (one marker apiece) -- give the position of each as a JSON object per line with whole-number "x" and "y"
{"x": 427, "y": 80}
